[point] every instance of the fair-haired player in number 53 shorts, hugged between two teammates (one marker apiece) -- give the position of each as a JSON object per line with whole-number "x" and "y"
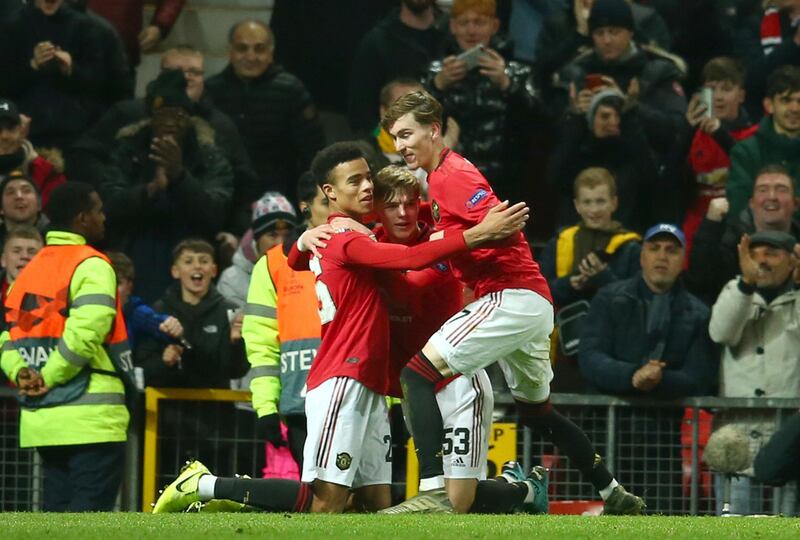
{"x": 419, "y": 303}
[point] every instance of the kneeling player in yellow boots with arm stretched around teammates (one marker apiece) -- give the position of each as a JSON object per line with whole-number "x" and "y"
{"x": 348, "y": 431}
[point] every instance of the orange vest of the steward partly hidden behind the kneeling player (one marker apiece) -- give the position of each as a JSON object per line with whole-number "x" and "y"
{"x": 299, "y": 329}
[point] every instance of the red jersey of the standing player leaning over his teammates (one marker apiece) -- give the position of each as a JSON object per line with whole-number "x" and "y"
{"x": 460, "y": 198}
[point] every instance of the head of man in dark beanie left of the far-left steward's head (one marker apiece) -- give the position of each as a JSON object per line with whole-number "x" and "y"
{"x": 21, "y": 205}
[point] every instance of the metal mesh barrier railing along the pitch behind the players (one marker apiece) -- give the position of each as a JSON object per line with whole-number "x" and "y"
{"x": 653, "y": 447}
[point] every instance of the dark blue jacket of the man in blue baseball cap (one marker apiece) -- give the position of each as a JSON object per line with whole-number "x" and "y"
{"x": 614, "y": 343}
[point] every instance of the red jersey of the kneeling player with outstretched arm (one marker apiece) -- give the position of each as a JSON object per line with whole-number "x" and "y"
{"x": 354, "y": 317}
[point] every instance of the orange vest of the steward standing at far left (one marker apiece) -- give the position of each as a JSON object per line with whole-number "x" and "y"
{"x": 37, "y": 309}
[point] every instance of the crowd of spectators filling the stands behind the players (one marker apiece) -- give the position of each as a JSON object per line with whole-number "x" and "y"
{"x": 657, "y": 143}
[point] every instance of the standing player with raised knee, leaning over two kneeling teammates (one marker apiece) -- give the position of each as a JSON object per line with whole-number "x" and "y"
{"x": 510, "y": 321}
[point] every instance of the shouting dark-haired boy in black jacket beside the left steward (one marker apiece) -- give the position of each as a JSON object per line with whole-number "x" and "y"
{"x": 216, "y": 352}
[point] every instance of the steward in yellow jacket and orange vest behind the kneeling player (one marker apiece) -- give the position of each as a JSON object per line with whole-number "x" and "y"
{"x": 282, "y": 321}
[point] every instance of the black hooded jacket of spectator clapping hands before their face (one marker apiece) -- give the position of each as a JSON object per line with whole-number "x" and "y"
{"x": 147, "y": 228}
